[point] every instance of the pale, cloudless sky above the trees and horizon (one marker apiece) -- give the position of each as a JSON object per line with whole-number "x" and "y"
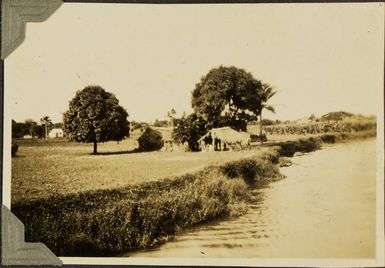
{"x": 319, "y": 57}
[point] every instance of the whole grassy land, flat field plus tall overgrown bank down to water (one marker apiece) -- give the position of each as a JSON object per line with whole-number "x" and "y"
{"x": 80, "y": 204}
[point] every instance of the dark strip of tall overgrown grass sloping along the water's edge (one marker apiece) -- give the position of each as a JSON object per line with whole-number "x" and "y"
{"x": 106, "y": 222}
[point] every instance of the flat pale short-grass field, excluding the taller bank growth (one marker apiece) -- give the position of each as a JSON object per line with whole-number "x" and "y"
{"x": 44, "y": 168}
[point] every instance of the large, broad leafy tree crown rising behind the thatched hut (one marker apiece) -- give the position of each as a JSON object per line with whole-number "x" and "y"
{"x": 227, "y": 96}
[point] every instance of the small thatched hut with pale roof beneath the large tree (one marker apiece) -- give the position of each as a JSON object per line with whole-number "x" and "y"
{"x": 222, "y": 139}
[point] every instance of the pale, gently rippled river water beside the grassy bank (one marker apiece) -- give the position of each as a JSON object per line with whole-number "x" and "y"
{"x": 324, "y": 208}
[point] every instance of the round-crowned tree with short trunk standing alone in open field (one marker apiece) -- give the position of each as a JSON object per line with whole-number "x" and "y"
{"x": 94, "y": 116}
